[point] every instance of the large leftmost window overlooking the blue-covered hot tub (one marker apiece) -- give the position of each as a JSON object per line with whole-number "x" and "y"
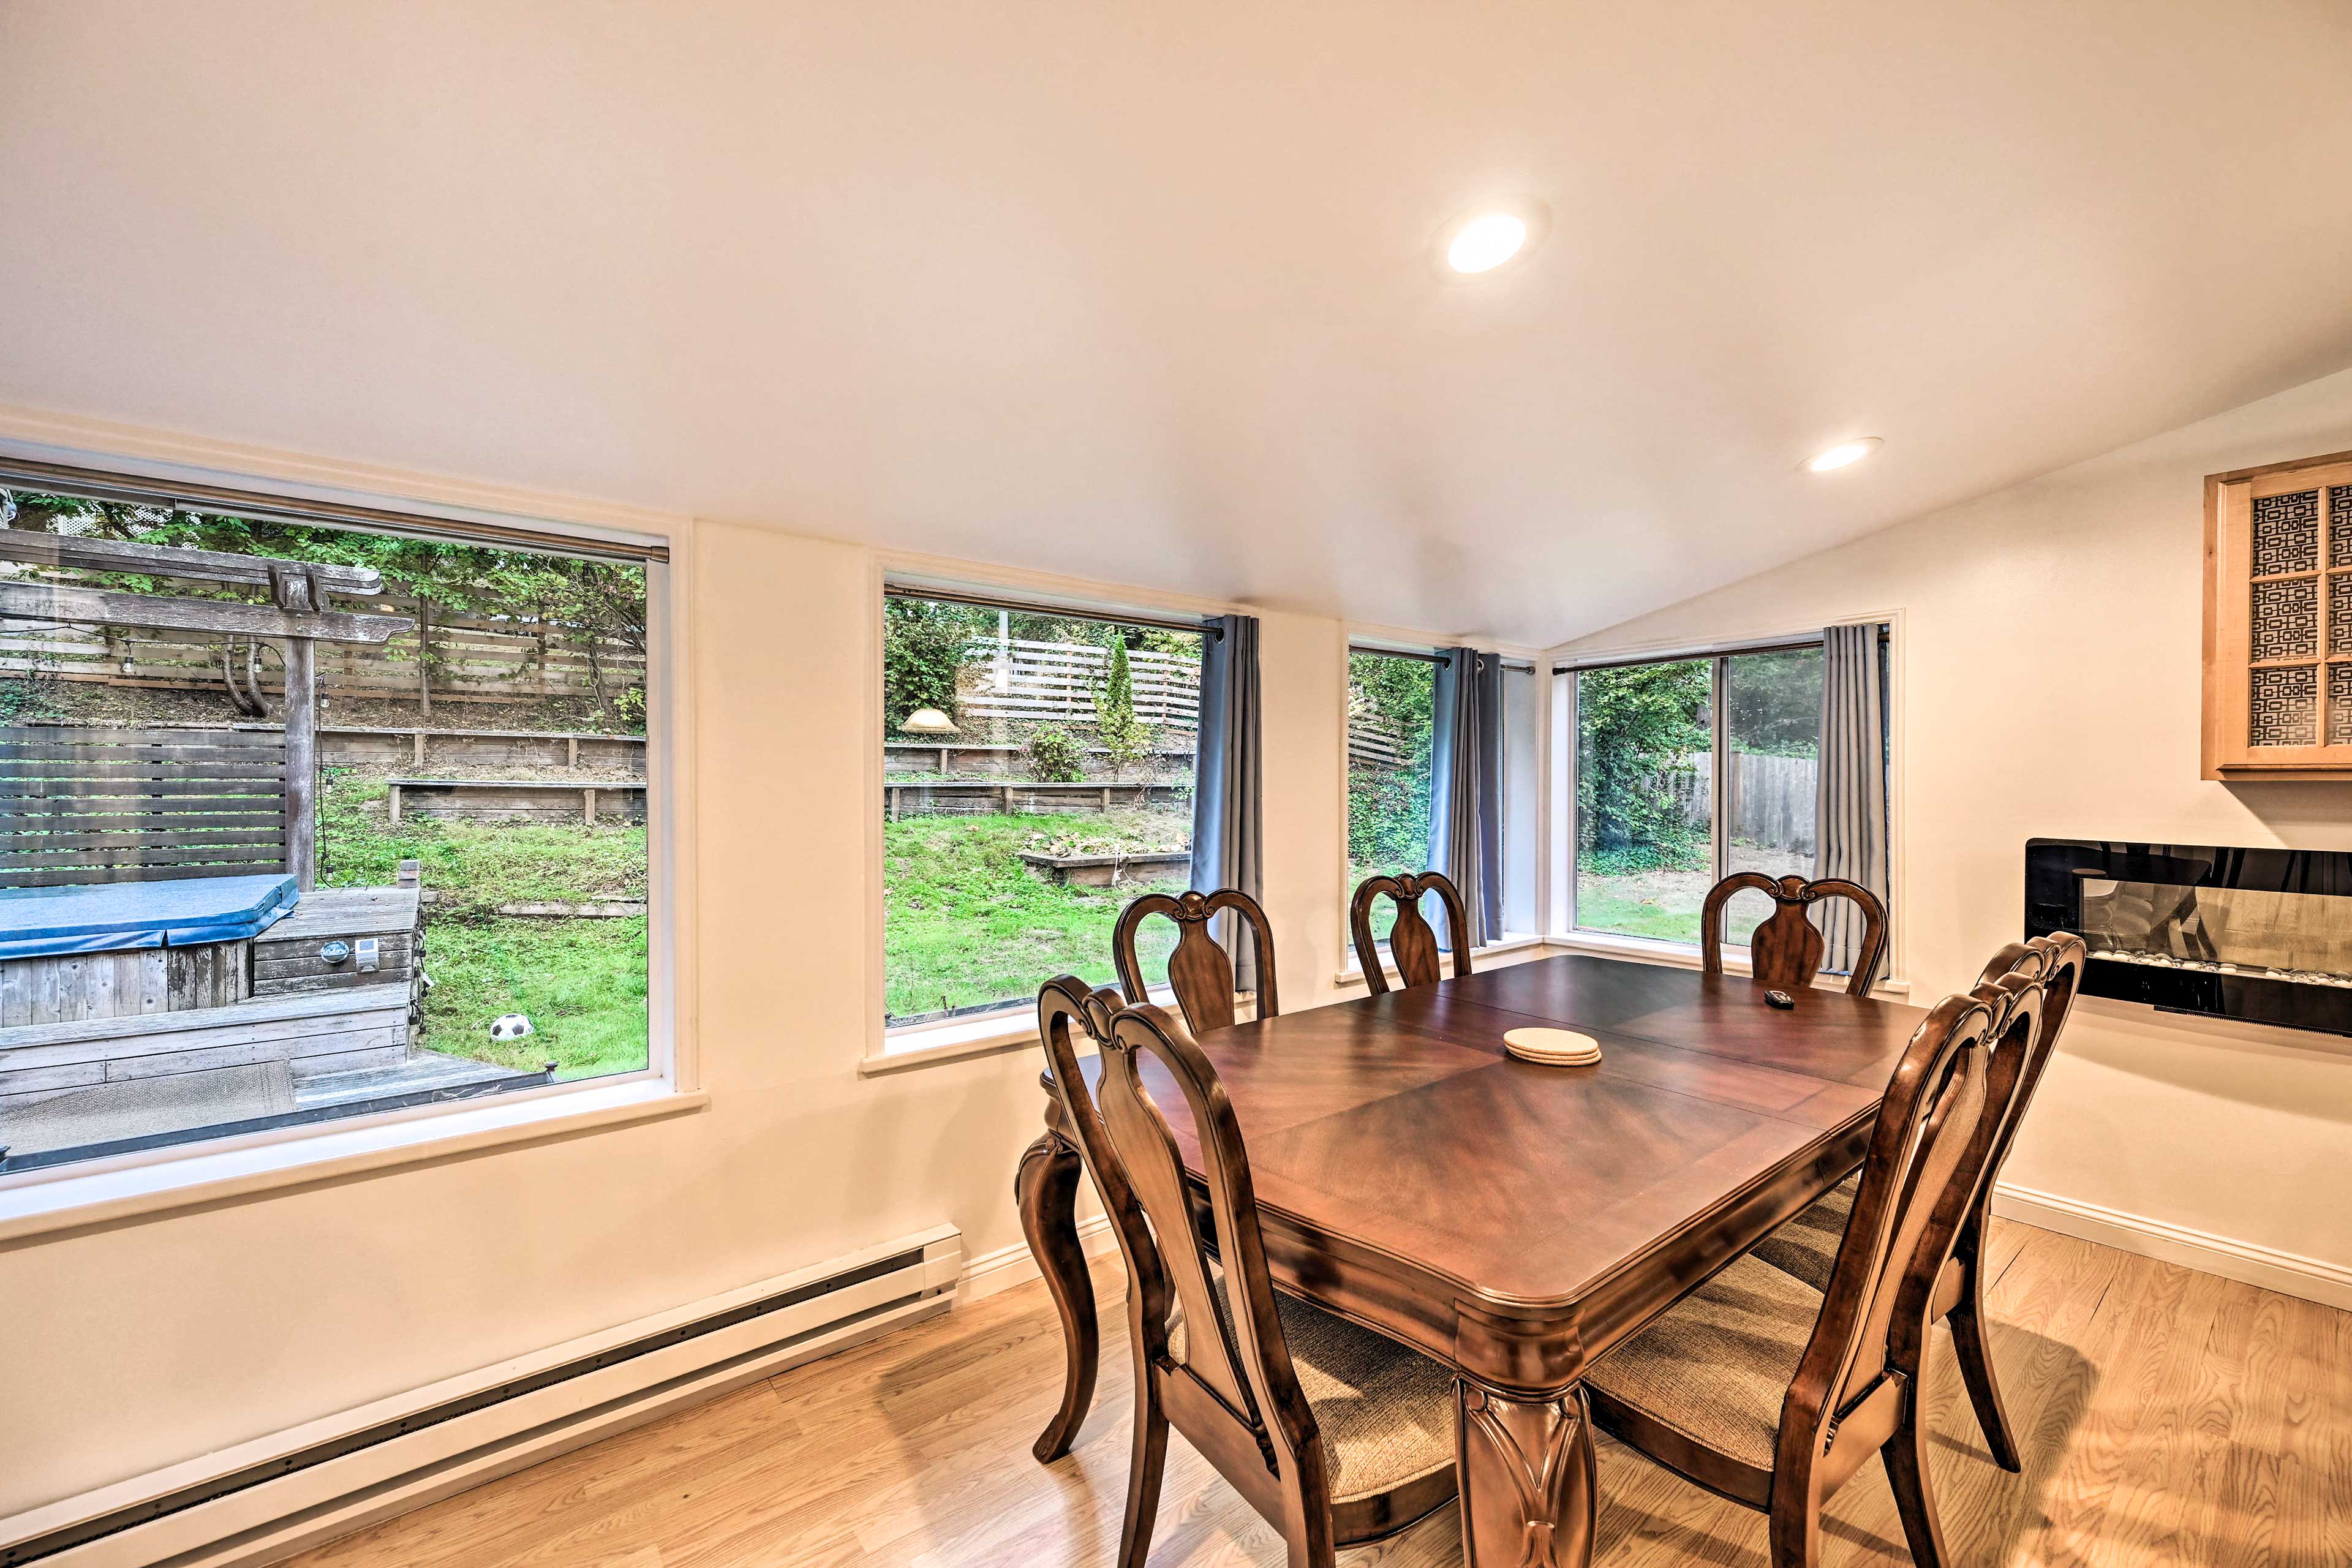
{"x": 309, "y": 822}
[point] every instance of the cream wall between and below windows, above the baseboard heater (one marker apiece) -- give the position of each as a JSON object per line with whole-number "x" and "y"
{"x": 154, "y": 1341}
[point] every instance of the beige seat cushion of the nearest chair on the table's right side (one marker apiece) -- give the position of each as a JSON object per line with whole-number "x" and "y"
{"x": 1718, "y": 1367}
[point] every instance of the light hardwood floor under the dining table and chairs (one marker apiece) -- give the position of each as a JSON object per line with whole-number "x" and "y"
{"x": 2165, "y": 1416}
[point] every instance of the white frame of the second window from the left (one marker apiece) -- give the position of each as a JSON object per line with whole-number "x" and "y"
{"x": 1015, "y": 1026}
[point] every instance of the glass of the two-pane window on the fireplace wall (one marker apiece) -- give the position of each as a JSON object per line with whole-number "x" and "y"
{"x": 1664, "y": 812}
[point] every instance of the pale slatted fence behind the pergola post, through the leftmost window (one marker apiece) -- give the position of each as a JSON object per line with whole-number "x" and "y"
{"x": 472, "y": 659}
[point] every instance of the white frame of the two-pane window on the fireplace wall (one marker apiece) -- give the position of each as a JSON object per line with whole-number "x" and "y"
{"x": 1568, "y": 763}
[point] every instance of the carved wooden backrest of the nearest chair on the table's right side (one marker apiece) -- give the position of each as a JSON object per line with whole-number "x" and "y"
{"x": 1927, "y": 1151}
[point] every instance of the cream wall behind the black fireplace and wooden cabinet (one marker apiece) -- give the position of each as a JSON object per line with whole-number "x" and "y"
{"x": 2050, "y": 676}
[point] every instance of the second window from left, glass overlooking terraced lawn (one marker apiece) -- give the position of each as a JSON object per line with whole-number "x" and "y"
{"x": 1036, "y": 775}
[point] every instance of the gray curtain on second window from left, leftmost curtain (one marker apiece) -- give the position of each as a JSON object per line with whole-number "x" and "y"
{"x": 1229, "y": 819}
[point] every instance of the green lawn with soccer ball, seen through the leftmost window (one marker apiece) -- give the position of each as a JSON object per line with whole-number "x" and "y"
{"x": 582, "y": 981}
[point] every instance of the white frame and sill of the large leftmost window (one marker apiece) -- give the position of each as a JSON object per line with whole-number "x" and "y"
{"x": 123, "y": 467}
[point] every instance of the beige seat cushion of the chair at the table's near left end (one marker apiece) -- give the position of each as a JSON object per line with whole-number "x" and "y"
{"x": 1387, "y": 1412}
